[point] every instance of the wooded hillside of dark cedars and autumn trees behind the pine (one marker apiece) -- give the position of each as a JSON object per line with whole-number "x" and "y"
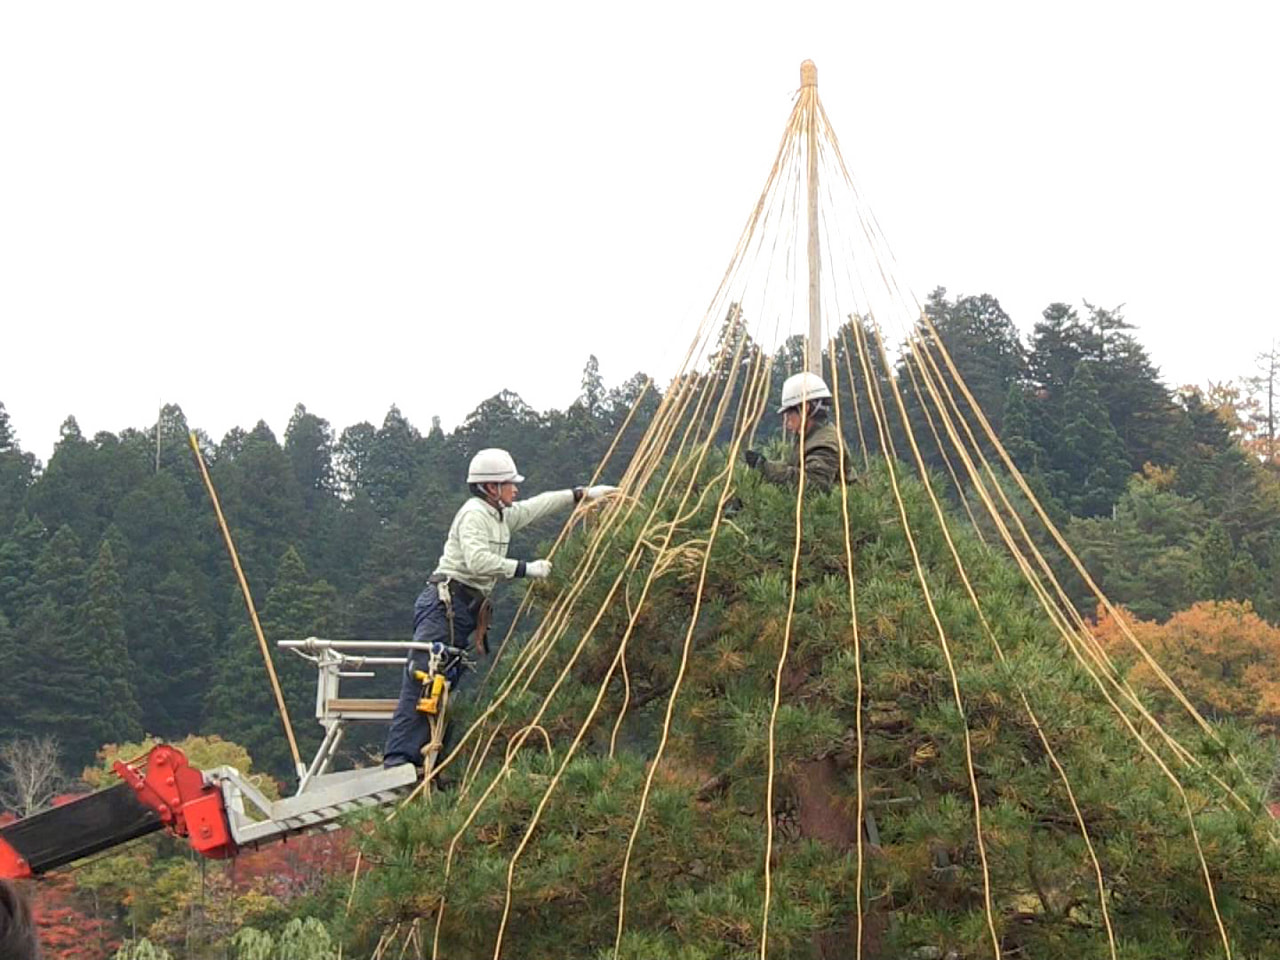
{"x": 121, "y": 619}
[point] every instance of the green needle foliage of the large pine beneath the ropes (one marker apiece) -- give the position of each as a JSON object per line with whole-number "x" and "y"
{"x": 694, "y": 886}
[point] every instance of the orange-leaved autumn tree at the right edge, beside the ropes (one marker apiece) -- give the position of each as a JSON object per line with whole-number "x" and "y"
{"x": 1224, "y": 657}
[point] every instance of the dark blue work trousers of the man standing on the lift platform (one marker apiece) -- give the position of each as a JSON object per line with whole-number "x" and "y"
{"x": 412, "y": 730}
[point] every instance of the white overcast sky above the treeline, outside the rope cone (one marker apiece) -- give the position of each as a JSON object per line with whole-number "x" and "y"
{"x": 240, "y": 207}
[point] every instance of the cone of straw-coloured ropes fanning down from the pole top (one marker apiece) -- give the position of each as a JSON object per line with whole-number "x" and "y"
{"x": 717, "y": 400}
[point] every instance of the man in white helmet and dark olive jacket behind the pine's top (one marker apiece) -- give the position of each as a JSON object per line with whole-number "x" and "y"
{"x": 806, "y": 406}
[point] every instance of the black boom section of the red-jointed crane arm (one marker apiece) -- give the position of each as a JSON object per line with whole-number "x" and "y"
{"x": 81, "y": 829}
